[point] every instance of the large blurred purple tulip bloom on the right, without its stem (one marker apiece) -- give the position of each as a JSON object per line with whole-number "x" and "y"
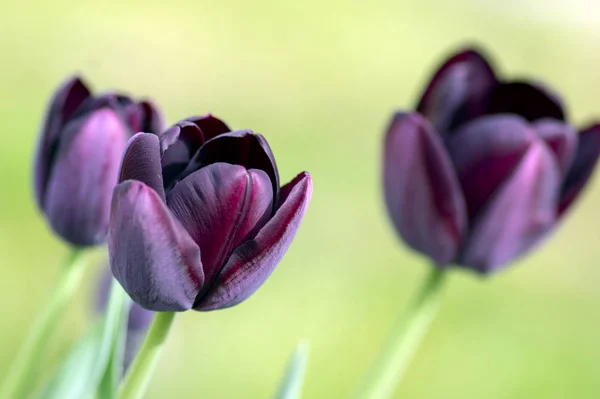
{"x": 484, "y": 169}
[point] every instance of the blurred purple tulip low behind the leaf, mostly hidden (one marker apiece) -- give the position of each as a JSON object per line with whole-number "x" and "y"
{"x": 138, "y": 320}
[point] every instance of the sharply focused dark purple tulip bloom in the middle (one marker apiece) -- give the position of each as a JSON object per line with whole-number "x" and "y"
{"x": 199, "y": 219}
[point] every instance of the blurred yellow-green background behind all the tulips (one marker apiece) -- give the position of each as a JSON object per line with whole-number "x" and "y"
{"x": 319, "y": 79}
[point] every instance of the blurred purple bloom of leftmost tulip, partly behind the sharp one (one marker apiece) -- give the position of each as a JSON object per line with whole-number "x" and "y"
{"x": 78, "y": 155}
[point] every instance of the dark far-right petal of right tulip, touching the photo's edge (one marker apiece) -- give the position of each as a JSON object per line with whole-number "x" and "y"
{"x": 586, "y": 158}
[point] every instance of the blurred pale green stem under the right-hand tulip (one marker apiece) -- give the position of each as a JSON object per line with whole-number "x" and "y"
{"x": 404, "y": 341}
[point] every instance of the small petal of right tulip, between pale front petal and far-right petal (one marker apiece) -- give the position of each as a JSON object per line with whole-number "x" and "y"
{"x": 561, "y": 138}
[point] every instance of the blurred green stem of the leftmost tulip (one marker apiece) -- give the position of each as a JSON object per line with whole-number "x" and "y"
{"x": 21, "y": 376}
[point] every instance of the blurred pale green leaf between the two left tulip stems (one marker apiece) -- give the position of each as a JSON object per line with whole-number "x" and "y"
{"x": 86, "y": 363}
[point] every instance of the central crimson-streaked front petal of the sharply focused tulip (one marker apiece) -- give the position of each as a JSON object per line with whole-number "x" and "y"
{"x": 220, "y": 206}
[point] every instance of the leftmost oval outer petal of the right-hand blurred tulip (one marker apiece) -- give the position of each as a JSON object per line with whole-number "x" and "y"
{"x": 421, "y": 190}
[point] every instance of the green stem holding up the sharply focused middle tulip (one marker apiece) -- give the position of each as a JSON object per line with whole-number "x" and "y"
{"x": 139, "y": 374}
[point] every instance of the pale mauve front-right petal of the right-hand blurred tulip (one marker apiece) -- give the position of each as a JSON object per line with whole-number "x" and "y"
{"x": 518, "y": 216}
